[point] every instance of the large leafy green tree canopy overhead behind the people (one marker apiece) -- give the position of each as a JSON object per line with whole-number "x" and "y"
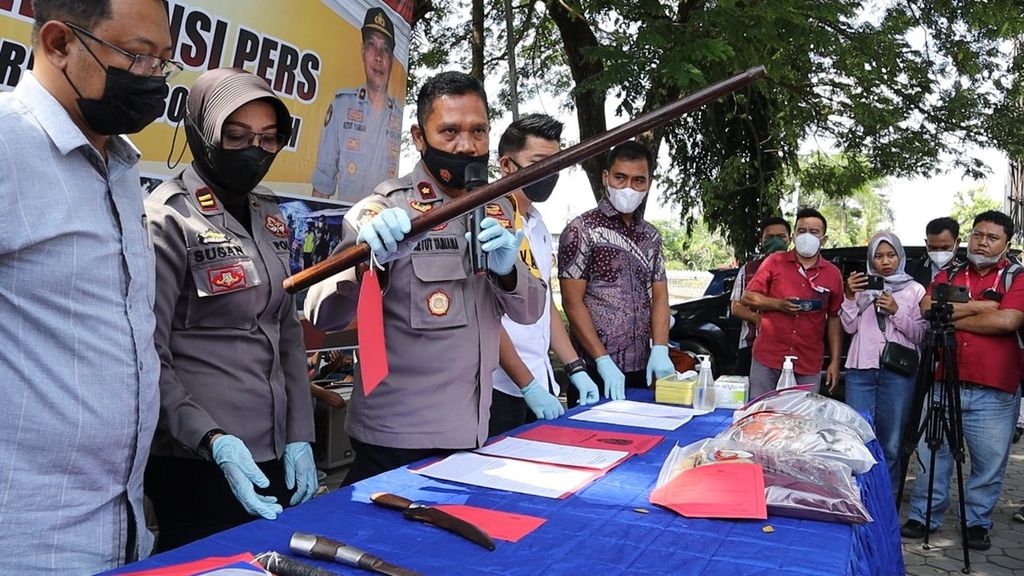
{"x": 898, "y": 86}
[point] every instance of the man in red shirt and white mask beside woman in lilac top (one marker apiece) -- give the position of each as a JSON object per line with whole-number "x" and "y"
{"x": 799, "y": 295}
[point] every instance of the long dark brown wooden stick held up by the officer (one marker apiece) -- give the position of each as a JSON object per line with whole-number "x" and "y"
{"x": 452, "y": 211}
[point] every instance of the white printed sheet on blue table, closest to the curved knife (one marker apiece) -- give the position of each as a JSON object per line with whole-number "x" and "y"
{"x": 516, "y": 476}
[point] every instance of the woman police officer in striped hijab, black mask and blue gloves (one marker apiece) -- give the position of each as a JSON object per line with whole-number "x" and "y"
{"x": 236, "y": 418}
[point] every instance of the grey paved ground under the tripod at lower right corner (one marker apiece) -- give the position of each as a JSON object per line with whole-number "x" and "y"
{"x": 1007, "y": 555}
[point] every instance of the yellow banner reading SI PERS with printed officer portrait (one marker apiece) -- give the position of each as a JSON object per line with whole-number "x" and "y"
{"x": 312, "y": 53}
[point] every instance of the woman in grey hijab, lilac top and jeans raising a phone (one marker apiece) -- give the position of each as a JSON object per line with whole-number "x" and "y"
{"x": 875, "y": 318}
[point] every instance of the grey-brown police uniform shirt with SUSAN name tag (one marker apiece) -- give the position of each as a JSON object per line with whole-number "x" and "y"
{"x": 228, "y": 335}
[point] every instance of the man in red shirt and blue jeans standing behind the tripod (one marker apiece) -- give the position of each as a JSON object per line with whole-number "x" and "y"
{"x": 989, "y": 357}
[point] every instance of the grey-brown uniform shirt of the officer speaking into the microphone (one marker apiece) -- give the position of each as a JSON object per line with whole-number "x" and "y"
{"x": 441, "y": 325}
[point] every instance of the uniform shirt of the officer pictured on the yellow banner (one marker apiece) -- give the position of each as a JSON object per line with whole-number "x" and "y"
{"x": 359, "y": 147}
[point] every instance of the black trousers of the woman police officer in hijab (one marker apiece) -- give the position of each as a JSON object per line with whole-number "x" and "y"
{"x": 193, "y": 501}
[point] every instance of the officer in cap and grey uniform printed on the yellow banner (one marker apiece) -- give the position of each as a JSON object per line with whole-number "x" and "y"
{"x": 362, "y": 137}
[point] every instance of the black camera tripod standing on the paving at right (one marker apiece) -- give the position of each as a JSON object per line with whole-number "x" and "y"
{"x": 938, "y": 399}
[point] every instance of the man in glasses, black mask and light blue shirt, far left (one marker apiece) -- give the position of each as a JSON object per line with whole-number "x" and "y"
{"x": 78, "y": 368}
